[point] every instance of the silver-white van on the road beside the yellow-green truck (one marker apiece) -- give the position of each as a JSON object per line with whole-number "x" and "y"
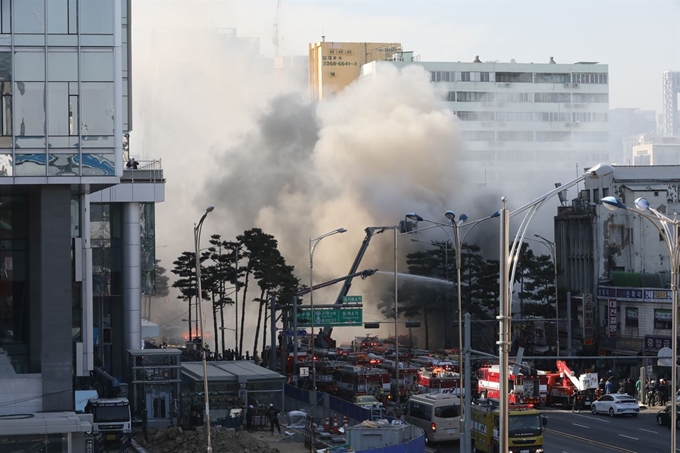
{"x": 438, "y": 414}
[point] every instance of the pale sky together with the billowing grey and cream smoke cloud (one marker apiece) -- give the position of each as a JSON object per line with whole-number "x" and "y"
{"x": 229, "y": 134}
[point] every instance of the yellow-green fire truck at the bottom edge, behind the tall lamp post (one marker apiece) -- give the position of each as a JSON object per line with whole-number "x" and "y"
{"x": 525, "y": 427}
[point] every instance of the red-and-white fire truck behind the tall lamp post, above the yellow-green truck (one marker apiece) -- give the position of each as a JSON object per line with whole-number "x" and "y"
{"x": 529, "y": 388}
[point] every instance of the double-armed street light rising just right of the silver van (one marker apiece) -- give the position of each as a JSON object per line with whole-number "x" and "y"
{"x": 458, "y": 247}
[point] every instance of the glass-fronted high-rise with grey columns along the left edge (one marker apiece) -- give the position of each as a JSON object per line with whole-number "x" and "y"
{"x": 74, "y": 221}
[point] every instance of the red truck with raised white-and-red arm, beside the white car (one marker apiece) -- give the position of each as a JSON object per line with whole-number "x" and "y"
{"x": 562, "y": 385}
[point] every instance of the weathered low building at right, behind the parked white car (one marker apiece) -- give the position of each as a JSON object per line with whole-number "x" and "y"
{"x": 618, "y": 261}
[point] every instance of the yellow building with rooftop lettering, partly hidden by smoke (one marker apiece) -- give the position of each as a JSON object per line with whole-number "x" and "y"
{"x": 334, "y": 65}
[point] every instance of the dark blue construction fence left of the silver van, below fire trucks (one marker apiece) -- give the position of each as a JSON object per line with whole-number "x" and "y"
{"x": 325, "y": 405}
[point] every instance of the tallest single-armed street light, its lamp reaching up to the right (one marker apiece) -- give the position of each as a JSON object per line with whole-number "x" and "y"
{"x": 508, "y": 267}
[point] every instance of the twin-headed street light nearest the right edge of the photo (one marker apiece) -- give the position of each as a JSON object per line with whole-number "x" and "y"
{"x": 668, "y": 229}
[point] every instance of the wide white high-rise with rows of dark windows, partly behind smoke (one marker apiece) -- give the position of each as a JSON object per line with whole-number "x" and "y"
{"x": 520, "y": 121}
